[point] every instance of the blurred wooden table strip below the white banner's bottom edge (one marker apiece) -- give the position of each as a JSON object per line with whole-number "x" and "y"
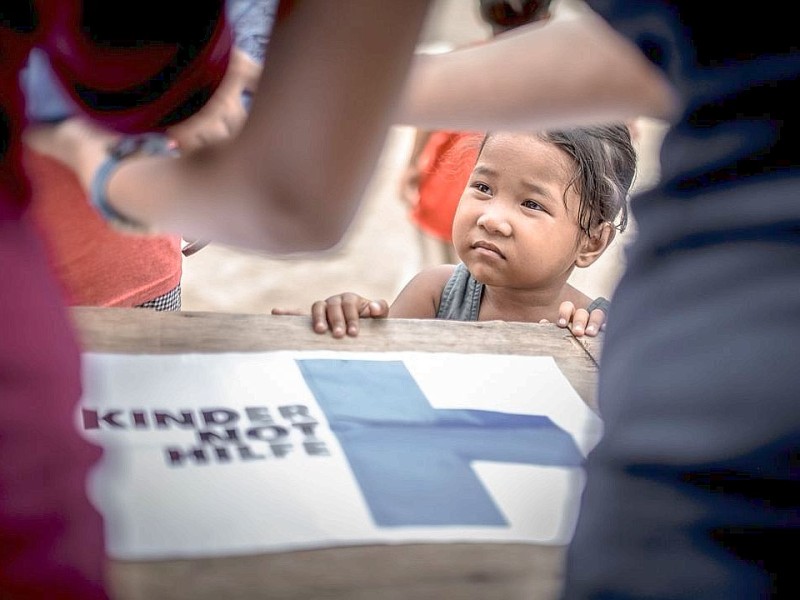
{"x": 393, "y": 572}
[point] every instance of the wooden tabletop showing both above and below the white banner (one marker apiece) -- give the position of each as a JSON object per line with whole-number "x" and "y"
{"x": 469, "y": 571}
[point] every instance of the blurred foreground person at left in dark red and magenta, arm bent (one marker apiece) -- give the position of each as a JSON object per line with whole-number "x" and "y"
{"x": 135, "y": 68}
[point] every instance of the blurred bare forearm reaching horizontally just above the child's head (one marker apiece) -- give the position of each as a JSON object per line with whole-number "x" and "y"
{"x": 569, "y": 72}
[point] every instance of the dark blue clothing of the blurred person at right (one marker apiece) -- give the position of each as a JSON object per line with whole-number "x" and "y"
{"x": 694, "y": 490}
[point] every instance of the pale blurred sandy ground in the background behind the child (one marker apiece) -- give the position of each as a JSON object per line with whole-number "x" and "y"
{"x": 382, "y": 251}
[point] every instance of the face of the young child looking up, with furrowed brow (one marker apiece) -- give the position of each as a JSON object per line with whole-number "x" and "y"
{"x": 512, "y": 228}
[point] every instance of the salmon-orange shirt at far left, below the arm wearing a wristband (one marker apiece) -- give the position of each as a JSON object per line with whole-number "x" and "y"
{"x": 96, "y": 264}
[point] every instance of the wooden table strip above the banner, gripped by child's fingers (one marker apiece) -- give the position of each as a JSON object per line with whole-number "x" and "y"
{"x": 144, "y": 331}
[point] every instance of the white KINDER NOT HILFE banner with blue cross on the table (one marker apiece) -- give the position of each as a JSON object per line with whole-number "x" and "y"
{"x": 236, "y": 453}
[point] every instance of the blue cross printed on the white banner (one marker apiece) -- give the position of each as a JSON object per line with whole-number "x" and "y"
{"x": 413, "y": 462}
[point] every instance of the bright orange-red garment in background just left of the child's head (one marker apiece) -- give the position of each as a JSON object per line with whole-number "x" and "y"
{"x": 445, "y": 164}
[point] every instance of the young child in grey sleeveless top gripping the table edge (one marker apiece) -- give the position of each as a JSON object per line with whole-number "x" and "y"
{"x": 536, "y": 206}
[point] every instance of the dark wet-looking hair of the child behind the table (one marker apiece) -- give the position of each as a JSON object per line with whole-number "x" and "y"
{"x": 605, "y": 167}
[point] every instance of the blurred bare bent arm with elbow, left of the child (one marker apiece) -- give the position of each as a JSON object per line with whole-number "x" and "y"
{"x": 293, "y": 178}
